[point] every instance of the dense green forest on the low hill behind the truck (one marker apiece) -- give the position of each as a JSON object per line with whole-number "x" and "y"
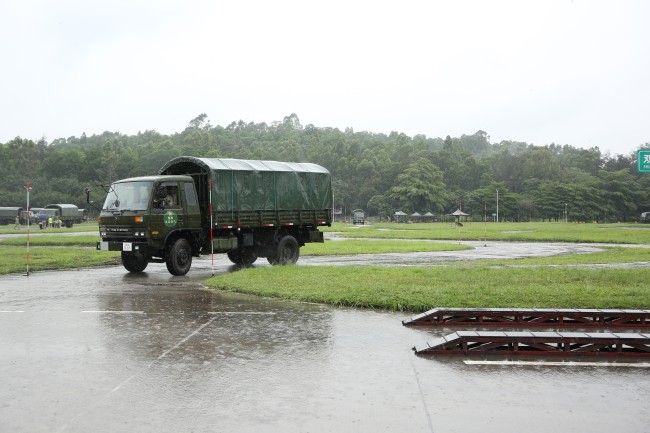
{"x": 376, "y": 172}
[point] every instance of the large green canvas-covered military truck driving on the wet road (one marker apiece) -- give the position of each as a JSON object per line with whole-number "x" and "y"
{"x": 195, "y": 206}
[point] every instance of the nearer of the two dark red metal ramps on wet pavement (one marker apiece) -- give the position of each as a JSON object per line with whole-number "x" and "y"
{"x": 539, "y": 344}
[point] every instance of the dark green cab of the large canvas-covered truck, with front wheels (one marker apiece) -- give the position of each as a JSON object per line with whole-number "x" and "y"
{"x": 152, "y": 219}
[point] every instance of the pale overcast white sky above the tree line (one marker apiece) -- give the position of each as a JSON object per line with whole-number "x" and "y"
{"x": 541, "y": 72}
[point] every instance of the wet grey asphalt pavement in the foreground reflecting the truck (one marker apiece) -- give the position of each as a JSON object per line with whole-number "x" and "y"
{"x": 99, "y": 350}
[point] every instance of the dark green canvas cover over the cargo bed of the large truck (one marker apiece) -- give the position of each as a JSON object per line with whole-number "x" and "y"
{"x": 245, "y": 185}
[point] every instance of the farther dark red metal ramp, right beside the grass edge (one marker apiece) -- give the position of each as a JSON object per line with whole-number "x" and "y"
{"x": 531, "y": 317}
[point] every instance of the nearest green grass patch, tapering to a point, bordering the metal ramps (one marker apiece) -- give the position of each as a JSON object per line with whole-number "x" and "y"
{"x": 419, "y": 289}
